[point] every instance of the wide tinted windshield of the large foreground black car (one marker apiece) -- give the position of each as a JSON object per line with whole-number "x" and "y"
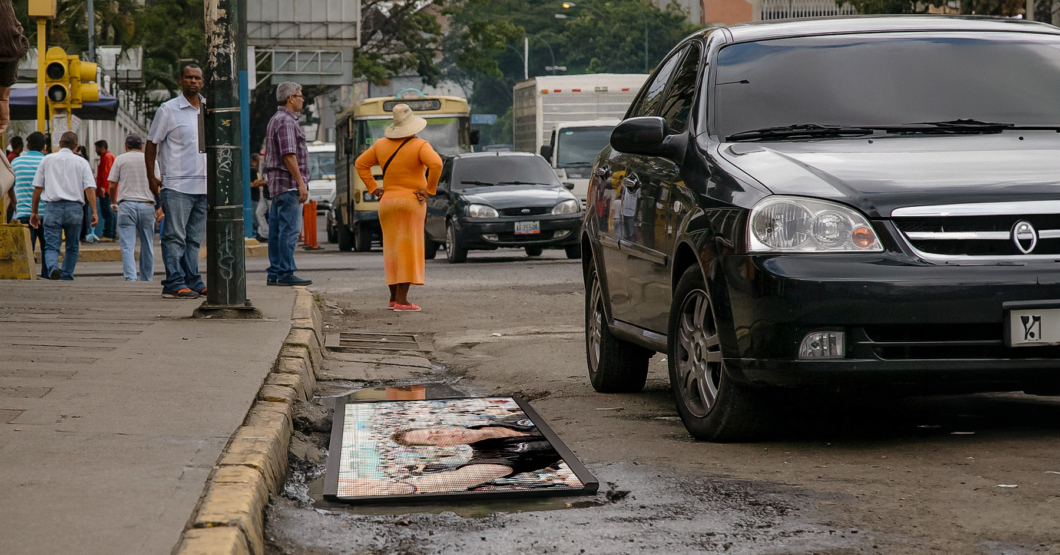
{"x": 888, "y": 80}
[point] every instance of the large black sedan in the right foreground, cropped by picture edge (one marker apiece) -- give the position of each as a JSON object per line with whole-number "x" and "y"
{"x": 850, "y": 203}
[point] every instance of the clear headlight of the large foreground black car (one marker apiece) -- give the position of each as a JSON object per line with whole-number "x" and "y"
{"x": 781, "y": 224}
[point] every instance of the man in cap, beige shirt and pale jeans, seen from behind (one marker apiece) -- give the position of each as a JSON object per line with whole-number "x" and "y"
{"x": 136, "y": 210}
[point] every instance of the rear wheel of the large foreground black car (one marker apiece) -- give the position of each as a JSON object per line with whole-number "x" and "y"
{"x": 614, "y": 366}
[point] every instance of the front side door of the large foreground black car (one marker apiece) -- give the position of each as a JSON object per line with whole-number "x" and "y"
{"x": 646, "y": 216}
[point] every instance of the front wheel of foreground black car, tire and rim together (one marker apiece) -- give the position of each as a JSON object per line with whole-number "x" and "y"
{"x": 713, "y": 406}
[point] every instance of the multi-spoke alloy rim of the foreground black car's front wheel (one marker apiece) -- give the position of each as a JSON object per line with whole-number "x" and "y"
{"x": 699, "y": 354}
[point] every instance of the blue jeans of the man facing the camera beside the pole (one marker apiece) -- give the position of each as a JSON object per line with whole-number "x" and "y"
{"x": 185, "y": 232}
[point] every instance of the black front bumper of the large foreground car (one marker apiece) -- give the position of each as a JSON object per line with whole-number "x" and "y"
{"x": 904, "y": 321}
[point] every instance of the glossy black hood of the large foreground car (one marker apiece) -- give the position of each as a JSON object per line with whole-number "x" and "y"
{"x": 881, "y": 175}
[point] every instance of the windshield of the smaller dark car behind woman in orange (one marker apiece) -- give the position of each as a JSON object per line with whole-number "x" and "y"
{"x": 502, "y": 170}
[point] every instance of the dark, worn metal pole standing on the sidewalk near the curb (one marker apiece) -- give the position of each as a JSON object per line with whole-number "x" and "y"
{"x": 226, "y": 265}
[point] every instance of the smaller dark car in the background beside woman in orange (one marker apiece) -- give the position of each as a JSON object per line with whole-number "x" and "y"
{"x": 491, "y": 201}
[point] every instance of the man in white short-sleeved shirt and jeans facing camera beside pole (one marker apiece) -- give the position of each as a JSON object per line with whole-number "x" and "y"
{"x": 174, "y": 142}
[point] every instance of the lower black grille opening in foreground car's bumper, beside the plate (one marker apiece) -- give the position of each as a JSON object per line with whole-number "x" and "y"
{"x": 942, "y": 342}
